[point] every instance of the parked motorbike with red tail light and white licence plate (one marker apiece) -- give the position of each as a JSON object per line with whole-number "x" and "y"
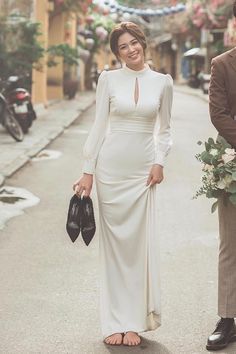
{"x": 20, "y": 103}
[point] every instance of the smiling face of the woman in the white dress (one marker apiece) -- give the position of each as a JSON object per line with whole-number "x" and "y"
{"x": 130, "y": 51}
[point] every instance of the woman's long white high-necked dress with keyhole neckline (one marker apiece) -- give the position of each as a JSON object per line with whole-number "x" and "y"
{"x": 120, "y": 150}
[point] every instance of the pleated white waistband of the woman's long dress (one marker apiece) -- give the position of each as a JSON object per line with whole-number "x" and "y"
{"x": 132, "y": 124}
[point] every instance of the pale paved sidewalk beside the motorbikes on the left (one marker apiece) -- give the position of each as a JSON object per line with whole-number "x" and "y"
{"x": 47, "y": 127}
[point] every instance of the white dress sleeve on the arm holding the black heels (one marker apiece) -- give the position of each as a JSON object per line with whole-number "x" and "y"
{"x": 99, "y": 128}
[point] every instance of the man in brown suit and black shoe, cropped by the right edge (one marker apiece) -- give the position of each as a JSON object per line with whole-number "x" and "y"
{"x": 222, "y": 94}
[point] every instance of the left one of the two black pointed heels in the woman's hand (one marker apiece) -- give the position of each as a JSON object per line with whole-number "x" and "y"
{"x": 74, "y": 218}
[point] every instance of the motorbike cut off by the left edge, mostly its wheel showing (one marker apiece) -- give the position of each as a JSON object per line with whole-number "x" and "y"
{"x": 8, "y": 120}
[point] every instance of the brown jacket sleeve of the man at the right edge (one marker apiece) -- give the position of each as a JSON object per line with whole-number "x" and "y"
{"x": 219, "y": 105}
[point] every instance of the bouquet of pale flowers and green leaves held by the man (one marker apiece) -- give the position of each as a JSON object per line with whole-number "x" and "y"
{"x": 219, "y": 171}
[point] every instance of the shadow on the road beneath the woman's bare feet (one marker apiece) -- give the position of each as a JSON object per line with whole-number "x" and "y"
{"x": 147, "y": 346}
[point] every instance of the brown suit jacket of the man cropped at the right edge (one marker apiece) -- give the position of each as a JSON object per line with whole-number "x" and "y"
{"x": 222, "y": 95}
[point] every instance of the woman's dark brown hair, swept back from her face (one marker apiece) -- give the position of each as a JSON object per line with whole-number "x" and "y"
{"x": 126, "y": 27}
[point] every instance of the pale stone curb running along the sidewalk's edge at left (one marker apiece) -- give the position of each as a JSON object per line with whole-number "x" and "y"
{"x": 39, "y": 145}
